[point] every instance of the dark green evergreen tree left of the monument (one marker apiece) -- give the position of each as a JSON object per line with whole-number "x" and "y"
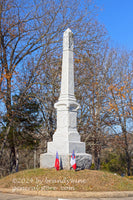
{"x": 24, "y": 130}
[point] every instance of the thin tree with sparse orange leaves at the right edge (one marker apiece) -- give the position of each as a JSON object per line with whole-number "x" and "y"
{"x": 120, "y": 97}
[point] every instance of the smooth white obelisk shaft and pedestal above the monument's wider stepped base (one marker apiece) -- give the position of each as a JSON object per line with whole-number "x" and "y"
{"x": 67, "y": 105}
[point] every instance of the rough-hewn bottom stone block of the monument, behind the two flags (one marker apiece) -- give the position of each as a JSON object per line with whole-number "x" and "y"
{"x": 83, "y": 161}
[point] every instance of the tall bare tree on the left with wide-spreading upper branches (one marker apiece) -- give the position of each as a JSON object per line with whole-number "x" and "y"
{"x": 33, "y": 31}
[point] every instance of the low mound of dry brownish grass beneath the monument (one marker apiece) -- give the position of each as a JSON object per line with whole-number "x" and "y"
{"x": 66, "y": 180}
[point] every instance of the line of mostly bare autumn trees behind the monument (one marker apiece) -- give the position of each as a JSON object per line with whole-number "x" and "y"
{"x": 30, "y": 73}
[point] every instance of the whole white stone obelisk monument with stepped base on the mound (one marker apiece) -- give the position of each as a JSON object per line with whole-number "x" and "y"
{"x": 66, "y": 138}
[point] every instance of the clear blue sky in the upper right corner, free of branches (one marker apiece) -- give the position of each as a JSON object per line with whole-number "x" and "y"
{"x": 117, "y": 16}
